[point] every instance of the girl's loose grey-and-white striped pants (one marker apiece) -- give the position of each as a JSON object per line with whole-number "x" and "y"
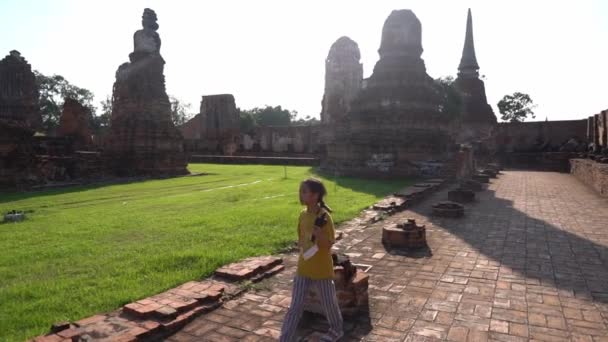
{"x": 327, "y": 290}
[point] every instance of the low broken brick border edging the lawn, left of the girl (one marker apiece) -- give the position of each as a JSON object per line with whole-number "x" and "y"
{"x": 158, "y": 316}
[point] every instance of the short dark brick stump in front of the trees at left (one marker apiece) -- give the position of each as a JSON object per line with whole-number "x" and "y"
{"x": 74, "y": 124}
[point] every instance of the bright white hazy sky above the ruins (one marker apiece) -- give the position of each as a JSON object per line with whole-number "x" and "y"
{"x": 273, "y": 51}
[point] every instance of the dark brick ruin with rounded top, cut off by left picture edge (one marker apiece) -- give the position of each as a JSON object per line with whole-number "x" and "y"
{"x": 19, "y": 119}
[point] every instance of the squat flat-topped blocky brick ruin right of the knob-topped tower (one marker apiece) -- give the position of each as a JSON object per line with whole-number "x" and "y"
{"x": 216, "y": 127}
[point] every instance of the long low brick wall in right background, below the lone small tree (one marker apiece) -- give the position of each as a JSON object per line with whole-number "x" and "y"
{"x": 538, "y": 136}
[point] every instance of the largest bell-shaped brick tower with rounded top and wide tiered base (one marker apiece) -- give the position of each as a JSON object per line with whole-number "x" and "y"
{"x": 396, "y": 126}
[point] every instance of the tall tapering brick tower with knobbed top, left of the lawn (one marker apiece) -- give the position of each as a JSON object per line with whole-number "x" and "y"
{"x": 143, "y": 139}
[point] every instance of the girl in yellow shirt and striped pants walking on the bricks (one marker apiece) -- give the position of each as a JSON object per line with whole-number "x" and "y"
{"x": 315, "y": 265}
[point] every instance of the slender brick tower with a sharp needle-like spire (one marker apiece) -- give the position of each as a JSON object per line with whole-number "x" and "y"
{"x": 478, "y": 118}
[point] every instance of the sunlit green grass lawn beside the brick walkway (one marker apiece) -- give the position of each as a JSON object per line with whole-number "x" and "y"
{"x": 91, "y": 249}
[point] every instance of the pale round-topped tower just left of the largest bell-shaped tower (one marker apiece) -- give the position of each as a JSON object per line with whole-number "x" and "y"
{"x": 343, "y": 76}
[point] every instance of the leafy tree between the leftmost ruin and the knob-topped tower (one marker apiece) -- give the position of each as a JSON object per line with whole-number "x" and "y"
{"x": 53, "y": 90}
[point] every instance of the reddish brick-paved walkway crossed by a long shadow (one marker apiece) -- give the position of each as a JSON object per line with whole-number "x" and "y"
{"x": 528, "y": 262}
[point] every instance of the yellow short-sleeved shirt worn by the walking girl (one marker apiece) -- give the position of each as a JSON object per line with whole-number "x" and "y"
{"x": 320, "y": 265}
